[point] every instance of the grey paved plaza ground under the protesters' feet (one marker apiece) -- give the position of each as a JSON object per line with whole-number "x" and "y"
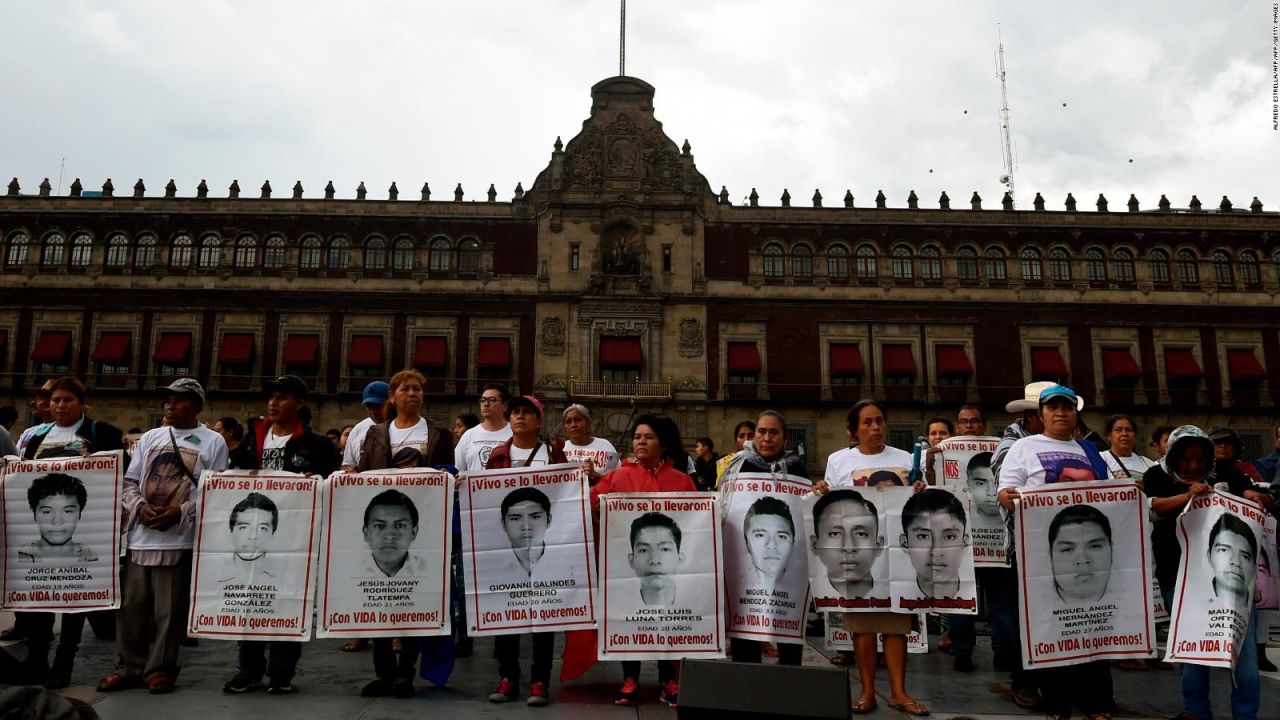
{"x": 330, "y": 683}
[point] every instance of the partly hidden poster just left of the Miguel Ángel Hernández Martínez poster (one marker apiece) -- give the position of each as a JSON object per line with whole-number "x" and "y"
{"x": 967, "y": 463}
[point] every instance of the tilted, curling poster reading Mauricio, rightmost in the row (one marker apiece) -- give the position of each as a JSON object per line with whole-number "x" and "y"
{"x": 1220, "y": 536}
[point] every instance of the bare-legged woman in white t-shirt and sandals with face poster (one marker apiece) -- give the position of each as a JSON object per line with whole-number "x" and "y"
{"x": 849, "y": 541}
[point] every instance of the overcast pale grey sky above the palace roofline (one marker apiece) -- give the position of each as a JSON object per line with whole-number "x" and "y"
{"x": 797, "y": 94}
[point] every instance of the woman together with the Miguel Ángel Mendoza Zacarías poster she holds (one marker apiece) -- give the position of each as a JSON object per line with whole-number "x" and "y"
{"x": 767, "y": 573}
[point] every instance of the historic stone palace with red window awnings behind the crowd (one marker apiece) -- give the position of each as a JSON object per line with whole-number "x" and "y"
{"x": 621, "y": 280}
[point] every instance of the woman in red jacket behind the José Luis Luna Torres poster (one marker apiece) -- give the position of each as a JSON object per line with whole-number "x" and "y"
{"x": 655, "y": 446}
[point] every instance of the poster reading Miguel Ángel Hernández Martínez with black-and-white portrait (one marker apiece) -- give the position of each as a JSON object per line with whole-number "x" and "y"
{"x": 1085, "y": 573}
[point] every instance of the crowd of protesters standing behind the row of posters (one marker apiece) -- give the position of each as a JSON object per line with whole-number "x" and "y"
{"x": 164, "y": 464}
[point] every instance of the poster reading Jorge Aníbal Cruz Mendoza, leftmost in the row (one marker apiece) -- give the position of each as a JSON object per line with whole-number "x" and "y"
{"x": 62, "y": 534}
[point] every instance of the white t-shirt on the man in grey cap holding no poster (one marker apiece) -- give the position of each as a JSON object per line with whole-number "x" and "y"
{"x": 154, "y": 477}
